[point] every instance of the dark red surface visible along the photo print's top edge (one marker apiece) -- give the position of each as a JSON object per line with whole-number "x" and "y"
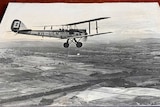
{"x": 4, "y": 3}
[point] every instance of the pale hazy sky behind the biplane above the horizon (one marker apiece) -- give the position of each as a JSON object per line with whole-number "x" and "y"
{"x": 128, "y": 20}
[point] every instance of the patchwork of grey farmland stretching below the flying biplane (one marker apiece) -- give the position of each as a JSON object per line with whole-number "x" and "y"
{"x": 120, "y": 73}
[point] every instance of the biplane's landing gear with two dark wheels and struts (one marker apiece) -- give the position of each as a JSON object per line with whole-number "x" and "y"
{"x": 78, "y": 44}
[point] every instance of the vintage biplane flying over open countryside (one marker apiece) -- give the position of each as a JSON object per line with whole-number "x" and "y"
{"x": 69, "y": 33}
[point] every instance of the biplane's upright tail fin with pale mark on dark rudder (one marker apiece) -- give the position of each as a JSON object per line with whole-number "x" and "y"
{"x": 17, "y": 25}
